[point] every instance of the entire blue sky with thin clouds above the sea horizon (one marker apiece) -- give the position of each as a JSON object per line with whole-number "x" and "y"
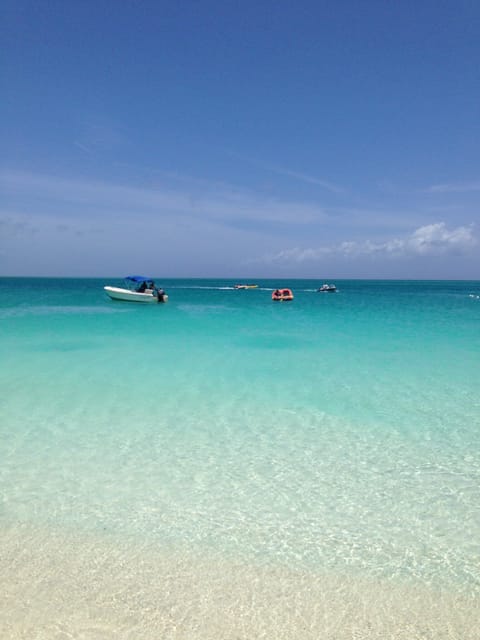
{"x": 240, "y": 139}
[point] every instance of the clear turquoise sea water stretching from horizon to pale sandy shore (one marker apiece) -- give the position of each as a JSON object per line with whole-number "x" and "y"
{"x": 338, "y": 431}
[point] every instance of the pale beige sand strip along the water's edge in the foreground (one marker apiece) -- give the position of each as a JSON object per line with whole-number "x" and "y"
{"x": 58, "y": 586}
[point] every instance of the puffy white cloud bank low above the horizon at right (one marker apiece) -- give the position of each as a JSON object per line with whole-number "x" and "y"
{"x": 430, "y": 240}
